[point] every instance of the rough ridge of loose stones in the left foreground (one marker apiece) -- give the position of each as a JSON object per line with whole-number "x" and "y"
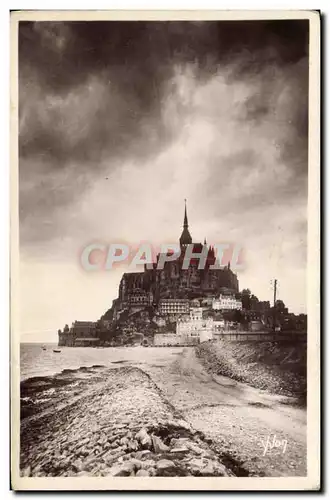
{"x": 119, "y": 425}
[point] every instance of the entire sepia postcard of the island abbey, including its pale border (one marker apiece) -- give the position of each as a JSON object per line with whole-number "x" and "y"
{"x": 165, "y": 250}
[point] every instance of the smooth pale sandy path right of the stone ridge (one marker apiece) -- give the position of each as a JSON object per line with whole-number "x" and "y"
{"x": 235, "y": 416}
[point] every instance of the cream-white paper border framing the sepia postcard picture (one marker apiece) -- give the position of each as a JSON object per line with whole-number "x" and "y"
{"x": 313, "y": 410}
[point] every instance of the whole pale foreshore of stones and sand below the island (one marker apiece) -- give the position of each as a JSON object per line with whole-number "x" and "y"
{"x": 124, "y": 411}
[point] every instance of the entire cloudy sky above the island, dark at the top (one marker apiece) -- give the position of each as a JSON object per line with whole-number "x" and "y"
{"x": 120, "y": 121}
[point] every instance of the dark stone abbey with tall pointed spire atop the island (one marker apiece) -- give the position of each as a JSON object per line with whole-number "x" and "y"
{"x": 152, "y": 286}
